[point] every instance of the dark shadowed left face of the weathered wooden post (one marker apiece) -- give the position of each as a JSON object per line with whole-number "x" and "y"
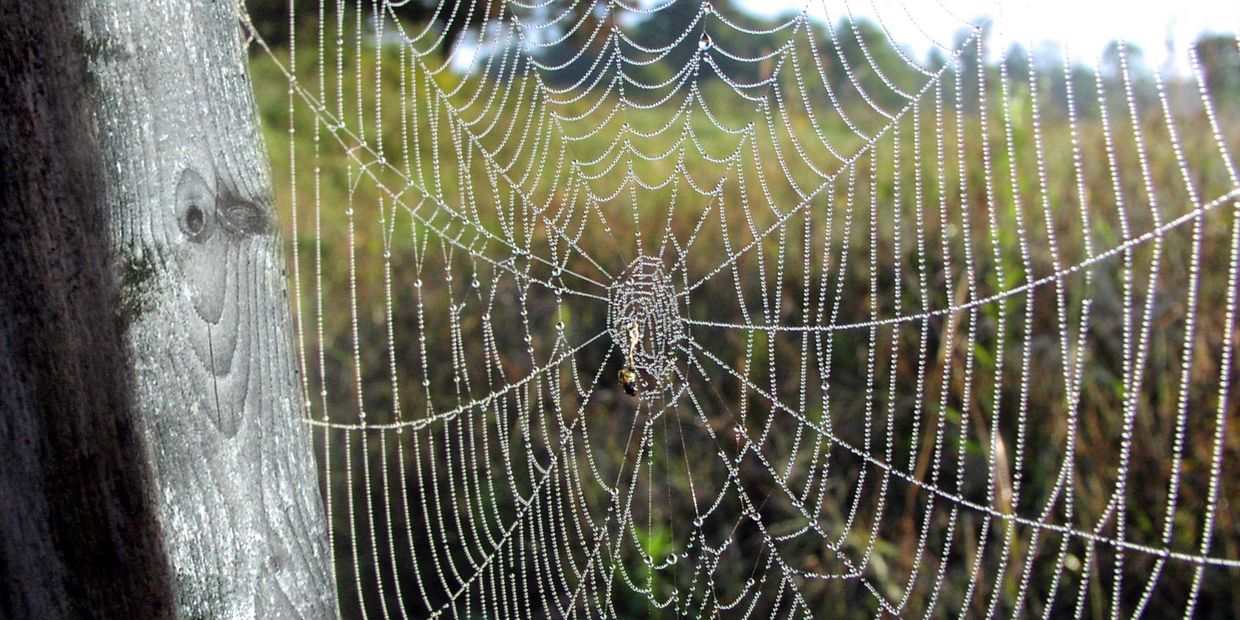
{"x": 79, "y": 535}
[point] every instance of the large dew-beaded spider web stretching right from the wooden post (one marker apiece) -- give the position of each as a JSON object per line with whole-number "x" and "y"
{"x": 907, "y": 334}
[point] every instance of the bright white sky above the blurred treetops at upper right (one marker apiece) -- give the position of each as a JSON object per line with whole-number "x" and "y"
{"x": 1086, "y": 27}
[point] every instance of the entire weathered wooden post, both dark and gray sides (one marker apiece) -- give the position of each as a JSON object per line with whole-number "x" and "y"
{"x": 156, "y": 251}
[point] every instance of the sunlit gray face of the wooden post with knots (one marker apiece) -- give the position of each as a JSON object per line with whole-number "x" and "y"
{"x": 201, "y": 309}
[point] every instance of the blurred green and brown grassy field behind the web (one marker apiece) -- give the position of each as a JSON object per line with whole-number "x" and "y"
{"x": 943, "y": 209}
